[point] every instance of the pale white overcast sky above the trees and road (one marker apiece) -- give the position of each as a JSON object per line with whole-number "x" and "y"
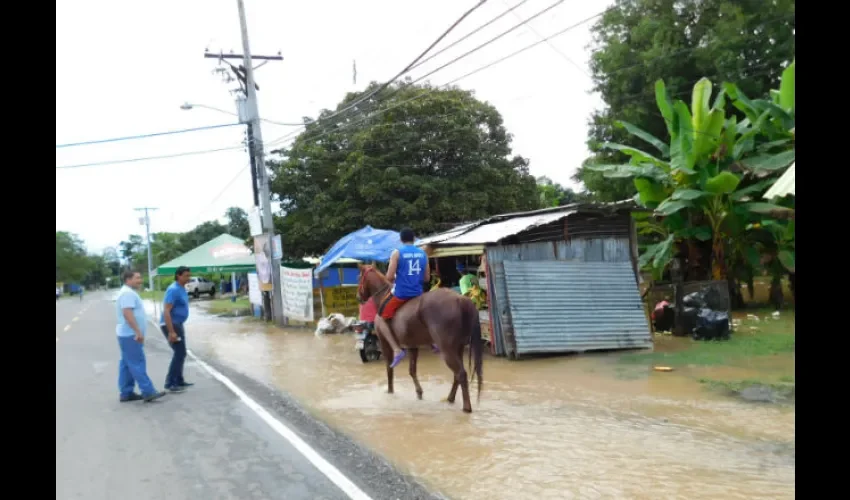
{"x": 124, "y": 68}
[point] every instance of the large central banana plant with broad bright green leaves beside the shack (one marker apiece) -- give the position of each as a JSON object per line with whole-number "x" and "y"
{"x": 697, "y": 178}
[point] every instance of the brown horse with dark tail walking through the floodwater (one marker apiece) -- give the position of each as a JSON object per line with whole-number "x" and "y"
{"x": 441, "y": 317}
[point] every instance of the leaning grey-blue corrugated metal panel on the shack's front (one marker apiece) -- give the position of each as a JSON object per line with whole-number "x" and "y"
{"x": 574, "y": 306}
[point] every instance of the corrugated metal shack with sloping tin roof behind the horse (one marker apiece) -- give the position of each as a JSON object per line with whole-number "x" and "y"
{"x": 559, "y": 280}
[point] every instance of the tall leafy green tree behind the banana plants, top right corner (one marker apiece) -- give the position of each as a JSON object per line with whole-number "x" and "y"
{"x": 680, "y": 41}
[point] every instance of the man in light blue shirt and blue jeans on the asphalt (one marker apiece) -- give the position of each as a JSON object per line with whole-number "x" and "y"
{"x": 132, "y": 323}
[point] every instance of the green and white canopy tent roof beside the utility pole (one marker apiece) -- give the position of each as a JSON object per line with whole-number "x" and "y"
{"x": 224, "y": 253}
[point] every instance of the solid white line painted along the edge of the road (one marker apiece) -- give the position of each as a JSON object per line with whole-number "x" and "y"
{"x": 325, "y": 467}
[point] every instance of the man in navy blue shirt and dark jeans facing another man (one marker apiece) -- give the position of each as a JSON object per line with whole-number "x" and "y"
{"x": 175, "y": 312}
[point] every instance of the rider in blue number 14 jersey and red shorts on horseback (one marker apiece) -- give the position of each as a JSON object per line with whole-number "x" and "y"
{"x": 408, "y": 271}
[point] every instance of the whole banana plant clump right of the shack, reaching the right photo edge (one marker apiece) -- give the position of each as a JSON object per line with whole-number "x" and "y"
{"x": 704, "y": 180}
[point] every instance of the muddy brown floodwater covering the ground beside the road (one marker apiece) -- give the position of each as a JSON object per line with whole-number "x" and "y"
{"x": 561, "y": 427}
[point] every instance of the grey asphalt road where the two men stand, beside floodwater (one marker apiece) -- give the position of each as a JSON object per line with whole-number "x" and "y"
{"x": 205, "y": 443}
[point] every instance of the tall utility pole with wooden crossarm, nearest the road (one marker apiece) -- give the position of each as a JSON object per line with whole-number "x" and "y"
{"x": 256, "y": 146}
